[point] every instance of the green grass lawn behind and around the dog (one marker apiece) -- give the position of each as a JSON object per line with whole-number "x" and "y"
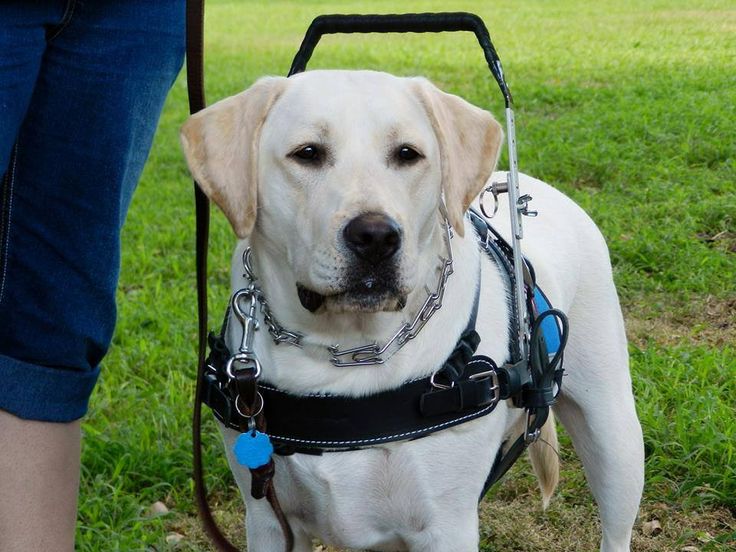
{"x": 628, "y": 107}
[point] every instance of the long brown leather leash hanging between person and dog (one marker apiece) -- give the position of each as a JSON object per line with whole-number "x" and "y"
{"x": 263, "y": 477}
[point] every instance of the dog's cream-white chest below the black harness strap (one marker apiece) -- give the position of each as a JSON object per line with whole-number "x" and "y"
{"x": 388, "y": 496}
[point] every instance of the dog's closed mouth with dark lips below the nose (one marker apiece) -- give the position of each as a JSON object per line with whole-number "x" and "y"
{"x": 370, "y": 294}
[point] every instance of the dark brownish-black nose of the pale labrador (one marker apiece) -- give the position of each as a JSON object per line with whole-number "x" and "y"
{"x": 373, "y": 237}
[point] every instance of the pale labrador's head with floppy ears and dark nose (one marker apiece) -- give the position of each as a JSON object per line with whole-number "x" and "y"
{"x": 342, "y": 175}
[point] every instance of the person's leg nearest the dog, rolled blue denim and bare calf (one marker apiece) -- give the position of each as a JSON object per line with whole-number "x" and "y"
{"x": 79, "y": 153}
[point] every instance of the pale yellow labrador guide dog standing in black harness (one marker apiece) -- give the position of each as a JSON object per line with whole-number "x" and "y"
{"x": 336, "y": 180}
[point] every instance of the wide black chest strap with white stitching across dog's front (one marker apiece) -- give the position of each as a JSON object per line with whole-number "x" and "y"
{"x": 319, "y": 423}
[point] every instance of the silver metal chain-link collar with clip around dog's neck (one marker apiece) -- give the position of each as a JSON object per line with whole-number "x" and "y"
{"x": 362, "y": 355}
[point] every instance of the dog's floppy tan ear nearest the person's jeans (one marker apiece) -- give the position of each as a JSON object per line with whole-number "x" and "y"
{"x": 221, "y": 147}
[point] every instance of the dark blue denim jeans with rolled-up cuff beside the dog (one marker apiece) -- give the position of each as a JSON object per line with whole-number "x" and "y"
{"x": 82, "y": 84}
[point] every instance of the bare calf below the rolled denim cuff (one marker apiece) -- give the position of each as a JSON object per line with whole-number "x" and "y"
{"x": 39, "y": 482}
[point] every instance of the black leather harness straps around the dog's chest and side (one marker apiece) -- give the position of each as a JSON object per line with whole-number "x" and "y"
{"x": 466, "y": 387}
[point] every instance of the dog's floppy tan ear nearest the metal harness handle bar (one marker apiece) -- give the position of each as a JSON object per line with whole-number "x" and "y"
{"x": 470, "y": 142}
